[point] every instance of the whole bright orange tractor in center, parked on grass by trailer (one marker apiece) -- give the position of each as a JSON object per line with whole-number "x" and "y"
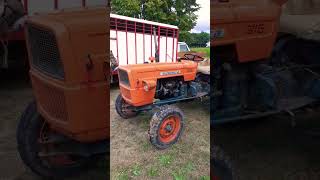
{"x": 151, "y": 86}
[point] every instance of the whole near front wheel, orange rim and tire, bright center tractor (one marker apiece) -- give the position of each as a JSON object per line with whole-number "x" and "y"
{"x": 166, "y": 127}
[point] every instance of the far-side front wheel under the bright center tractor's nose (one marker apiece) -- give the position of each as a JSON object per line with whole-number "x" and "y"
{"x": 123, "y": 109}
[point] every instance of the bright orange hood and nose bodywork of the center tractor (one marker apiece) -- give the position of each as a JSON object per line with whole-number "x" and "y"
{"x": 136, "y": 95}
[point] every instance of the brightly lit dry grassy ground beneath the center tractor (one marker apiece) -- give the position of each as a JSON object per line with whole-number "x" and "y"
{"x": 133, "y": 157}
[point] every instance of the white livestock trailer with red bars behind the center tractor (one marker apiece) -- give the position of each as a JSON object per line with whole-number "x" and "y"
{"x": 138, "y": 41}
